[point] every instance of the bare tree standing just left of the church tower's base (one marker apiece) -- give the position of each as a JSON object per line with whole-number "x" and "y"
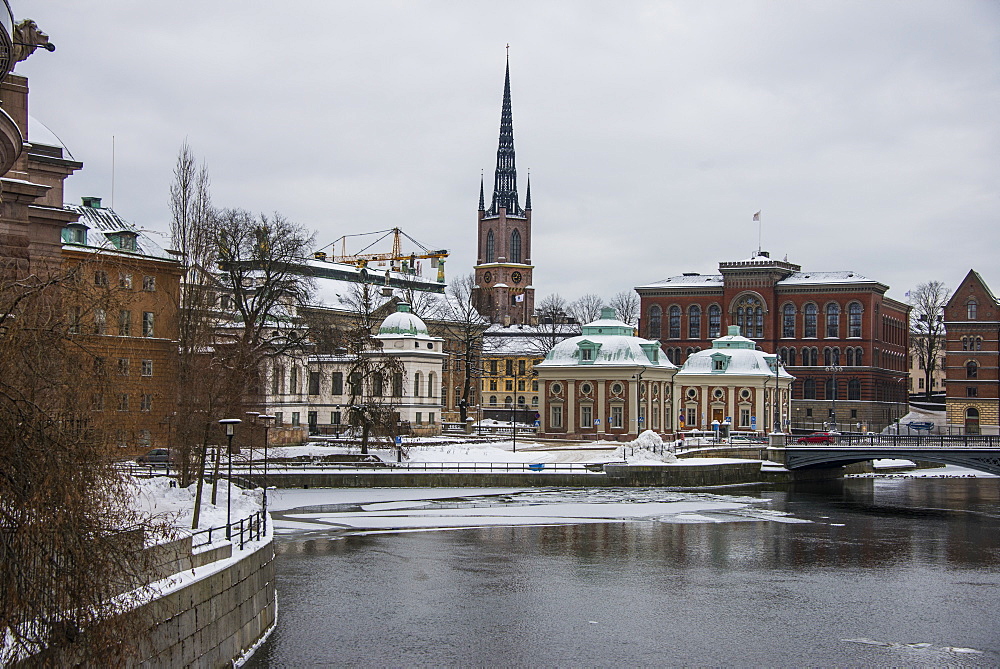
{"x": 464, "y": 324}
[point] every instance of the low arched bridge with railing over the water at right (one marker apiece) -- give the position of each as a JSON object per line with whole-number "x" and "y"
{"x": 972, "y": 452}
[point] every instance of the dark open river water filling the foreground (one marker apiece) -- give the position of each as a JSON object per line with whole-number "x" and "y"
{"x": 887, "y": 572}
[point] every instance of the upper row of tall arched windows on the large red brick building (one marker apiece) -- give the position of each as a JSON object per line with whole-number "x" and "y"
{"x": 748, "y": 314}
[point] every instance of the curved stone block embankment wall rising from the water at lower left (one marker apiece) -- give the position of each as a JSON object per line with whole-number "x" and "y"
{"x": 216, "y": 619}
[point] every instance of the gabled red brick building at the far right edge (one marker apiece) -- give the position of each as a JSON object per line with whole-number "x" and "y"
{"x": 972, "y": 357}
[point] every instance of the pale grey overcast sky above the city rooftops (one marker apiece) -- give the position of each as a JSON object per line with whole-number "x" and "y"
{"x": 867, "y": 133}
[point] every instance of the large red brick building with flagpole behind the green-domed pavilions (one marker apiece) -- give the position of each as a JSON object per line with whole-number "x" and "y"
{"x": 836, "y": 332}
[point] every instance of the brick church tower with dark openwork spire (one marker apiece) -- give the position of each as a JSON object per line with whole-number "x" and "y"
{"x": 503, "y": 292}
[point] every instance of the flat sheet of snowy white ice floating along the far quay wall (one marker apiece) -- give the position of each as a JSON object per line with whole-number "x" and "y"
{"x": 333, "y": 512}
